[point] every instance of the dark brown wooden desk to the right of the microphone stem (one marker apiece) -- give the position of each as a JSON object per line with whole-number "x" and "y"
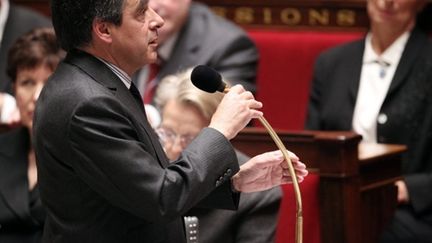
{"x": 356, "y": 188}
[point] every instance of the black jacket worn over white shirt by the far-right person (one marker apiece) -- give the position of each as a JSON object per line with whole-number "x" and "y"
{"x": 407, "y": 107}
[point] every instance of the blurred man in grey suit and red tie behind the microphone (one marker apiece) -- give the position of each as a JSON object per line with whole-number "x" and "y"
{"x": 191, "y": 35}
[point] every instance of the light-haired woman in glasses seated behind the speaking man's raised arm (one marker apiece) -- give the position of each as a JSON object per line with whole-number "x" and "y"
{"x": 186, "y": 110}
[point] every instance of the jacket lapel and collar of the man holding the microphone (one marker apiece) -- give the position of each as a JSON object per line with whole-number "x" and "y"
{"x": 103, "y": 75}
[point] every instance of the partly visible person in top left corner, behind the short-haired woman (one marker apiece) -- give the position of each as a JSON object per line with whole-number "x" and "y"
{"x": 14, "y": 22}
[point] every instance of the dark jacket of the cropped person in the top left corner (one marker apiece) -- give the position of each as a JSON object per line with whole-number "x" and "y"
{"x": 19, "y": 22}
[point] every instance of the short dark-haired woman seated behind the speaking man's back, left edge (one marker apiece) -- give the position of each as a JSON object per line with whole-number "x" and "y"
{"x": 31, "y": 61}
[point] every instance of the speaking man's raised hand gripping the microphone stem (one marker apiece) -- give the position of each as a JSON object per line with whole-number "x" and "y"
{"x": 235, "y": 111}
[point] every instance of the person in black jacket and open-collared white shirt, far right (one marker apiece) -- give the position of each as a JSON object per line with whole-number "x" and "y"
{"x": 380, "y": 87}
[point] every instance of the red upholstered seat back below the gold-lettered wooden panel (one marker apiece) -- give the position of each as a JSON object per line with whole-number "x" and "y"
{"x": 285, "y": 71}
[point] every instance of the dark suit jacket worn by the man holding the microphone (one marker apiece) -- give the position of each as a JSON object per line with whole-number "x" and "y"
{"x": 103, "y": 175}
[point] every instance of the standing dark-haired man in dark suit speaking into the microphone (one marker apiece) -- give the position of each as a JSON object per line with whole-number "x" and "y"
{"x": 103, "y": 175}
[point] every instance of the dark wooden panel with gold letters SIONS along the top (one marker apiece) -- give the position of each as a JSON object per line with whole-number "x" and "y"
{"x": 347, "y": 15}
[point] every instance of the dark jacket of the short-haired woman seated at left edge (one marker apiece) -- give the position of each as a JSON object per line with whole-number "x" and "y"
{"x": 21, "y": 212}
